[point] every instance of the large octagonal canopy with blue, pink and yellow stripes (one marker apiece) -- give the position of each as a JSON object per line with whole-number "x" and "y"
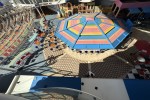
{"x": 91, "y": 31}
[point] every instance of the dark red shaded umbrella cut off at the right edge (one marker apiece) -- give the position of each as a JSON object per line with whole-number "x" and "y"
{"x": 143, "y": 45}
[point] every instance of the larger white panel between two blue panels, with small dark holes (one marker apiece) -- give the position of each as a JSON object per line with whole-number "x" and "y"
{"x": 108, "y": 89}
